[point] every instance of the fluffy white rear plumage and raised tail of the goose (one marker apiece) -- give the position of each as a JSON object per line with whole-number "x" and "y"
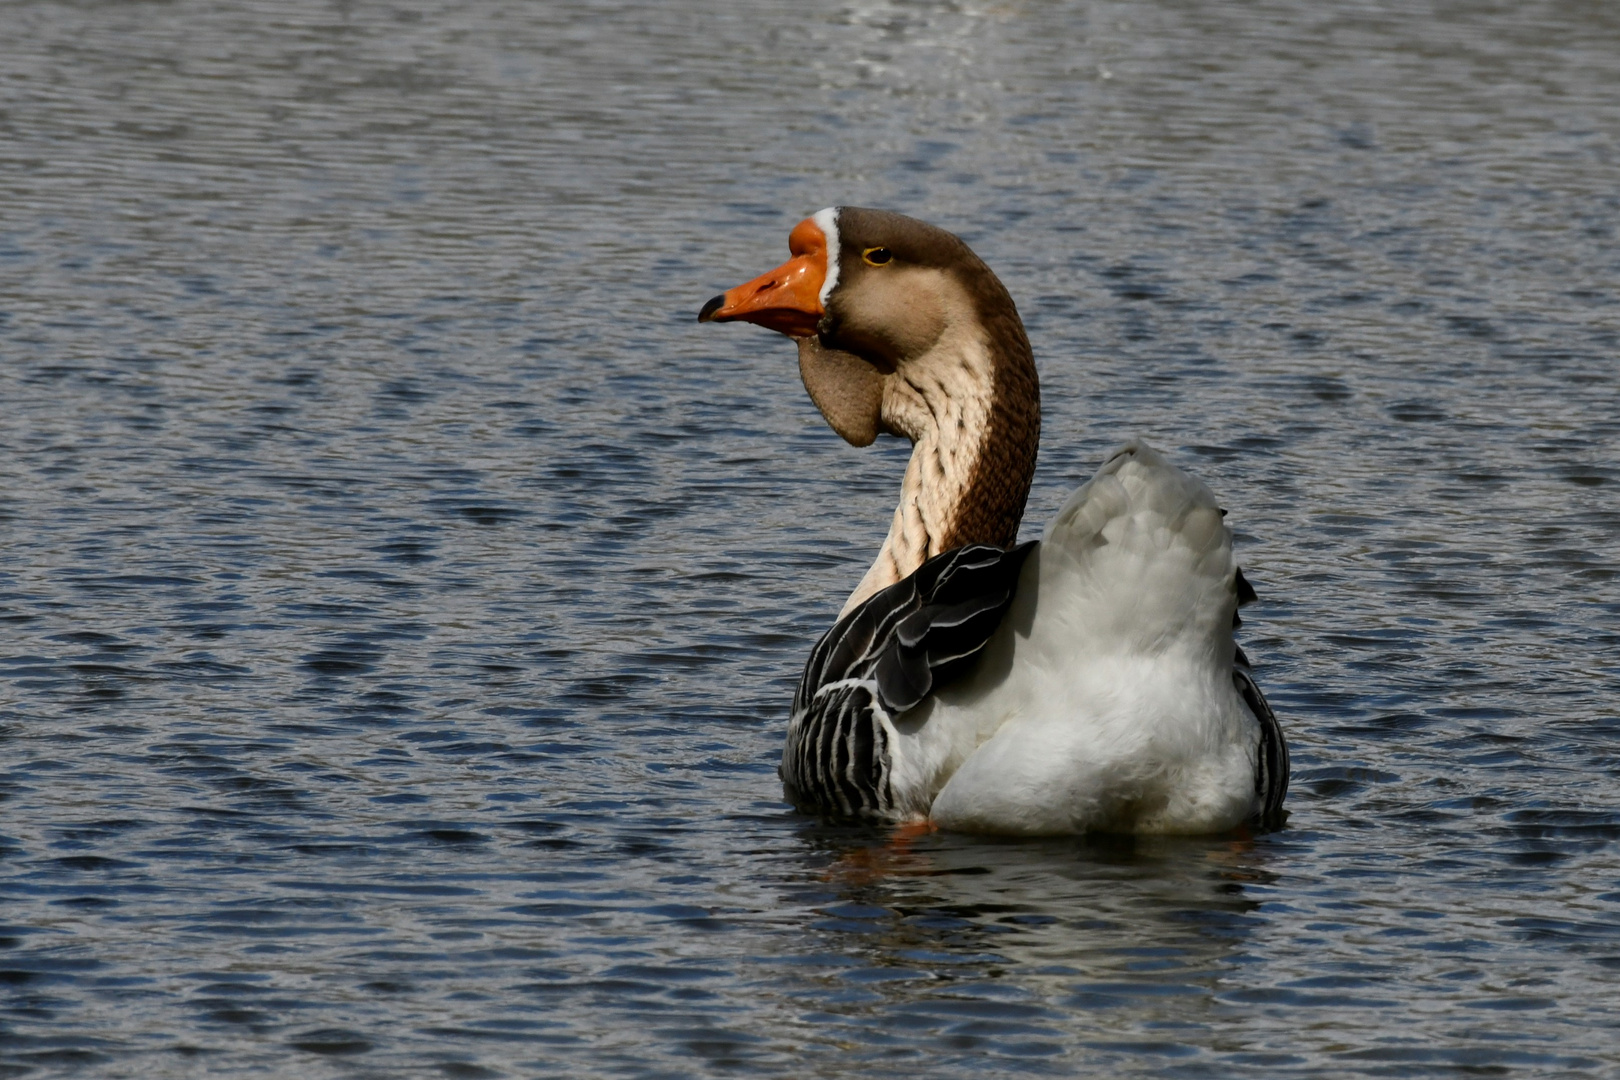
{"x": 1106, "y": 700}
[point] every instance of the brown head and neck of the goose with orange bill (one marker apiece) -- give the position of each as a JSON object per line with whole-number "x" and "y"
{"x": 902, "y": 330}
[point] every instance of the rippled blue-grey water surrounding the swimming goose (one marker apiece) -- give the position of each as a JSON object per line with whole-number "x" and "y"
{"x": 403, "y": 593}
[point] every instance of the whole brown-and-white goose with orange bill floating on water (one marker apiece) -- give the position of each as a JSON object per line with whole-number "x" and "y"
{"x": 1085, "y": 682}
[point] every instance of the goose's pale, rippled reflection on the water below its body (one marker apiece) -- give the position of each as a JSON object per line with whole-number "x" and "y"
{"x": 1099, "y": 922}
